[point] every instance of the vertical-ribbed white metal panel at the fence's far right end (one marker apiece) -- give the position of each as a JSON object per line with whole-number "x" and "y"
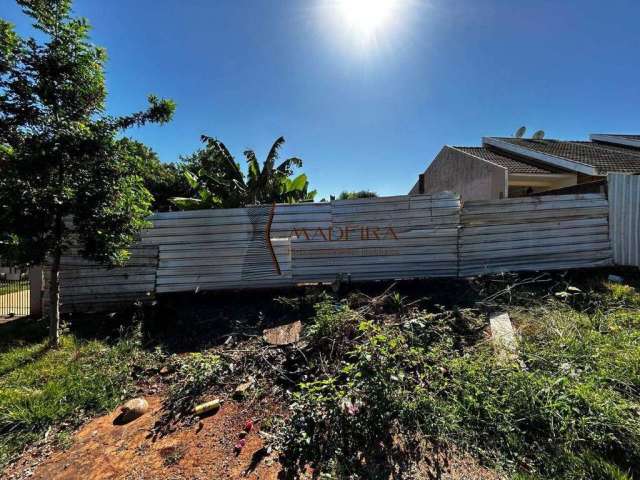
{"x": 624, "y": 218}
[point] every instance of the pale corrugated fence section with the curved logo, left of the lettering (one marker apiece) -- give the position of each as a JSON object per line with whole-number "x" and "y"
{"x": 231, "y": 248}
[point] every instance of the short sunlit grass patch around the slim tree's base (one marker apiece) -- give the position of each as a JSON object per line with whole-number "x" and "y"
{"x": 42, "y": 388}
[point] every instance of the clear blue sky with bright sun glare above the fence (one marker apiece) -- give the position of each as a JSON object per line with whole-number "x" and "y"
{"x": 367, "y": 109}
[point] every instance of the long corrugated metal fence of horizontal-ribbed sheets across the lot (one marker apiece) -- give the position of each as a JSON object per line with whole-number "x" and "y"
{"x": 367, "y": 239}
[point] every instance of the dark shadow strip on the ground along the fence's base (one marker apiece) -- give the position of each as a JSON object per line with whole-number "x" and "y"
{"x": 193, "y": 322}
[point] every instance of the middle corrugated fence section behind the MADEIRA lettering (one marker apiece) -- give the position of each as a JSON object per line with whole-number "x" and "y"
{"x": 383, "y": 238}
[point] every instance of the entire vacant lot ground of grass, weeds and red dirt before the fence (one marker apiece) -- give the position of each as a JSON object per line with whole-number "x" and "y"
{"x": 383, "y": 381}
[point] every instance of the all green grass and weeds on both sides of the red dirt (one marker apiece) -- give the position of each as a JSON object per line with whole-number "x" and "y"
{"x": 383, "y": 381}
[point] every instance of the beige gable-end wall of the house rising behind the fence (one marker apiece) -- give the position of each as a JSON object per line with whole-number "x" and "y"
{"x": 471, "y": 177}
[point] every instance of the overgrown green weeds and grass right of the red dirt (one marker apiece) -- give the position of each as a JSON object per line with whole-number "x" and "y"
{"x": 569, "y": 408}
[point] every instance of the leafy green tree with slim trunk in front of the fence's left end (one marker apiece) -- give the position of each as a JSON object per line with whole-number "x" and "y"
{"x": 64, "y": 175}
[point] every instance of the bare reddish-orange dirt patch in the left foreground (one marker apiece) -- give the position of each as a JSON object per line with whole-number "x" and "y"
{"x": 101, "y": 450}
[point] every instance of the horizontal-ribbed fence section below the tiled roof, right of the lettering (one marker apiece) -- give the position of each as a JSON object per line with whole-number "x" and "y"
{"x": 534, "y": 233}
